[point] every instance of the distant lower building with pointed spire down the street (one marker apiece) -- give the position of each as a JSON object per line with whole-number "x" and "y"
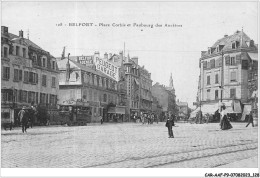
{"x": 165, "y": 96}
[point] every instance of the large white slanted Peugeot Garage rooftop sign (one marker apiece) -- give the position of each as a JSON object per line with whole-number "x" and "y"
{"x": 107, "y": 68}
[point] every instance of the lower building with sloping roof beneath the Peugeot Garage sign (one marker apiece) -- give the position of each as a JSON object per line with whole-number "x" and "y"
{"x": 88, "y": 86}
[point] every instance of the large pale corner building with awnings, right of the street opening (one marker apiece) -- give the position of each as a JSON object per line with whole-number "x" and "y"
{"x": 224, "y": 73}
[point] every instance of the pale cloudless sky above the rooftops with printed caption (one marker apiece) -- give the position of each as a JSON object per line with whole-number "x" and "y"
{"x": 162, "y": 50}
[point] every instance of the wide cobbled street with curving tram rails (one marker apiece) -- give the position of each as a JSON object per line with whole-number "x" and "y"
{"x": 129, "y": 145}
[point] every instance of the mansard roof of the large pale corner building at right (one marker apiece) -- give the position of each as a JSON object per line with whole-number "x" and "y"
{"x": 226, "y": 42}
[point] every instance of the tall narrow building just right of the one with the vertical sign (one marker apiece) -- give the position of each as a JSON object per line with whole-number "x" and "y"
{"x": 146, "y": 98}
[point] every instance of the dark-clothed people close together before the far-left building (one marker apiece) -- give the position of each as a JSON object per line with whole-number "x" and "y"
{"x": 26, "y": 117}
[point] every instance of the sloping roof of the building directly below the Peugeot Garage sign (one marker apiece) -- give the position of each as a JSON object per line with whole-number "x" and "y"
{"x": 76, "y": 65}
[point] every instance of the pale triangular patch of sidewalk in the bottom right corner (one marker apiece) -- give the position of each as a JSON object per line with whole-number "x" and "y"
{"x": 245, "y": 163}
